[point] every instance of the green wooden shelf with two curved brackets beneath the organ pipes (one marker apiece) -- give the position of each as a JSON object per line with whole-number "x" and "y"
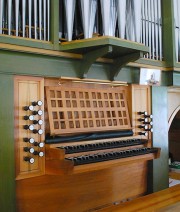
{"x": 120, "y": 50}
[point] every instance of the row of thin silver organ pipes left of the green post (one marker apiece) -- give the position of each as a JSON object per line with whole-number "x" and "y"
{"x": 25, "y": 18}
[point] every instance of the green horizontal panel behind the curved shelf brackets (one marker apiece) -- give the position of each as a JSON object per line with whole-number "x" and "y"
{"x": 20, "y": 63}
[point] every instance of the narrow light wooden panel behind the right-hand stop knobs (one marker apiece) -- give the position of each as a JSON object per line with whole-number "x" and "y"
{"x": 140, "y": 103}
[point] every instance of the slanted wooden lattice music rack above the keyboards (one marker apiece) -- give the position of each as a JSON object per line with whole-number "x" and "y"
{"x": 77, "y": 110}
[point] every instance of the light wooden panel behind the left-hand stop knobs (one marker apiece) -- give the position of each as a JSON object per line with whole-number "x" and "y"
{"x": 27, "y": 90}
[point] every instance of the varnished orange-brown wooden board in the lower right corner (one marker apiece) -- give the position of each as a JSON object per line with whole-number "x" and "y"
{"x": 167, "y": 200}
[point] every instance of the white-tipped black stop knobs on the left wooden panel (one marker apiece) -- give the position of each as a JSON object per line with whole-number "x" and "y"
{"x": 30, "y": 127}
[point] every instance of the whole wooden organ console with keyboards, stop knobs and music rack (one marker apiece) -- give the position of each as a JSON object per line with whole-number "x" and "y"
{"x": 82, "y": 146}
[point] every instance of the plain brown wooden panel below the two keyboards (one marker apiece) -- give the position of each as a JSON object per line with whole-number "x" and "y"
{"x": 82, "y": 192}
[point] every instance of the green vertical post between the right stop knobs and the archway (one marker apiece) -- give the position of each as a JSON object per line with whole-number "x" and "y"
{"x": 159, "y": 167}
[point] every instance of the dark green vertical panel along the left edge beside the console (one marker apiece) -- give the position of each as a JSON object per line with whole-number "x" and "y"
{"x": 7, "y": 166}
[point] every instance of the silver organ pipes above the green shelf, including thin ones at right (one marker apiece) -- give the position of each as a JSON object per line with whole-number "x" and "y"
{"x": 134, "y": 20}
